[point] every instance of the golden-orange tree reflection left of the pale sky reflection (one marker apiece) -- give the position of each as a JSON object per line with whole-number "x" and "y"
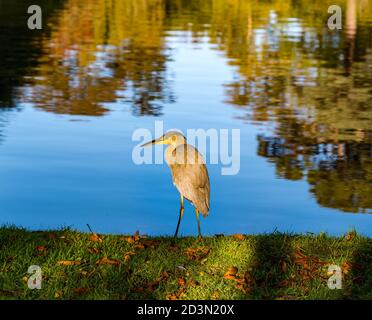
{"x": 101, "y": 52}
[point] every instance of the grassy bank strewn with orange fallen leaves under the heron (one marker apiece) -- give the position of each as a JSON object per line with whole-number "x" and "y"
{"x": 271, "y": 266}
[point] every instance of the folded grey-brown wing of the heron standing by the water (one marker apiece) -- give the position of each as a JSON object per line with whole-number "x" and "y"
{"x": 190, "y": 176}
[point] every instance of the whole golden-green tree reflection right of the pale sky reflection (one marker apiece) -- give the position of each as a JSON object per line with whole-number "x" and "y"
{"x": 312, "y": 85}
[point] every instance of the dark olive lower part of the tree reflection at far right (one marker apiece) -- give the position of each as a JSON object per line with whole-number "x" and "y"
{"x": 339, "y": 174}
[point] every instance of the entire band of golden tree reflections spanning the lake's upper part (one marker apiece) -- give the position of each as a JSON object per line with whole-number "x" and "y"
{"x": 310, "y": 88}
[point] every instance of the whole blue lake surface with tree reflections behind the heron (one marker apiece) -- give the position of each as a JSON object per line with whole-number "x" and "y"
{"x": 72, "y": 94}
